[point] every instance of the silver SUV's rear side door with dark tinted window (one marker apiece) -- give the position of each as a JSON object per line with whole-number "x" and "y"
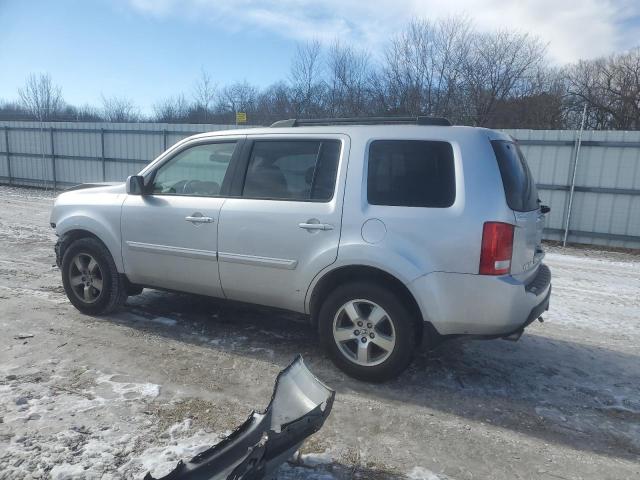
{"x": 282, "y": 226}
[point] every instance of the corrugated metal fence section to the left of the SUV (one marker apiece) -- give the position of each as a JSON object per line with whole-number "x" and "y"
{"x": 60, "y": 154}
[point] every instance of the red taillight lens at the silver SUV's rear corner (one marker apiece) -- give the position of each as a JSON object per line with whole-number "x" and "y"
{"x": 497, "y": 247}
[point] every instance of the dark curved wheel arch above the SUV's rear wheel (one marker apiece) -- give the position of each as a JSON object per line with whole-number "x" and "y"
{"x": 352, "y": 273}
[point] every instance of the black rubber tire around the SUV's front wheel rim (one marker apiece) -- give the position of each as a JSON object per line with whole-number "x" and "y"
{"x": 113, "y": 292}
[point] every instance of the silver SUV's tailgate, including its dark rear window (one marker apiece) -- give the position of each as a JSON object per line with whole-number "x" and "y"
{"x": 522, "y": 197}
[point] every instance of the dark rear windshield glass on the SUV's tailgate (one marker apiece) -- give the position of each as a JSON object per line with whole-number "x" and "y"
{"x": 519, "y": 186}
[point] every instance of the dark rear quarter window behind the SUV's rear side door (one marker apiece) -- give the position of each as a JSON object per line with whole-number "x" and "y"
{"x": 411, "y": 173}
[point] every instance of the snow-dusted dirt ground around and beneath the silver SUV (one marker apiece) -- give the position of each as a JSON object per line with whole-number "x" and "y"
{"x": 107, "y": 398}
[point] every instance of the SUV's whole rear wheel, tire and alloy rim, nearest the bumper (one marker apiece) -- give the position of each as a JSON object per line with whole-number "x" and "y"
{"x": 367, "y": 331}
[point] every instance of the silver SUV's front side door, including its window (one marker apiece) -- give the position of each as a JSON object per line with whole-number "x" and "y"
{"x": 169, "y": 235}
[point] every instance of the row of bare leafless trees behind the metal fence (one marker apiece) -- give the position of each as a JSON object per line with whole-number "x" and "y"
{"x": 443, "y": 68}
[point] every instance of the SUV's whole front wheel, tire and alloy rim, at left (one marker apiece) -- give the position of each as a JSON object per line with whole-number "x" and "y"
{"x": 90, "y": 277}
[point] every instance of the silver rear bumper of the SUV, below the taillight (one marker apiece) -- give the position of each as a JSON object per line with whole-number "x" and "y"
{"x": 464, "y": 304}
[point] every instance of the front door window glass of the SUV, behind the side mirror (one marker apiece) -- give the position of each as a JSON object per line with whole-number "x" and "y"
{"x": 196, "y": 171}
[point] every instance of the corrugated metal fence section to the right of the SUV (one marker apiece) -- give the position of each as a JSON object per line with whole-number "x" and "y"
{"x": 606, "y": 208}
